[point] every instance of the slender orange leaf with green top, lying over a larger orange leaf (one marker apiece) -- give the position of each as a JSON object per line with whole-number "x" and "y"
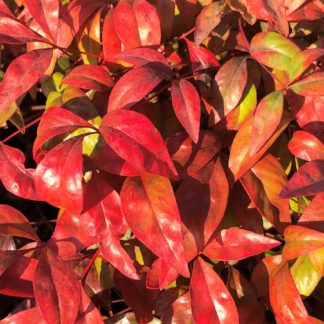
{"x": 267, "y": 118}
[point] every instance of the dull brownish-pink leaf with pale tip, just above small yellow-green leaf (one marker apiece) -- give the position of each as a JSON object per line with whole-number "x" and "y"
{"x": 231, "y": 79}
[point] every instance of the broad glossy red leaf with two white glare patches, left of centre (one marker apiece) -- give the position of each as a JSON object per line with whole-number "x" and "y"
{"x": 59, "y": 180}
